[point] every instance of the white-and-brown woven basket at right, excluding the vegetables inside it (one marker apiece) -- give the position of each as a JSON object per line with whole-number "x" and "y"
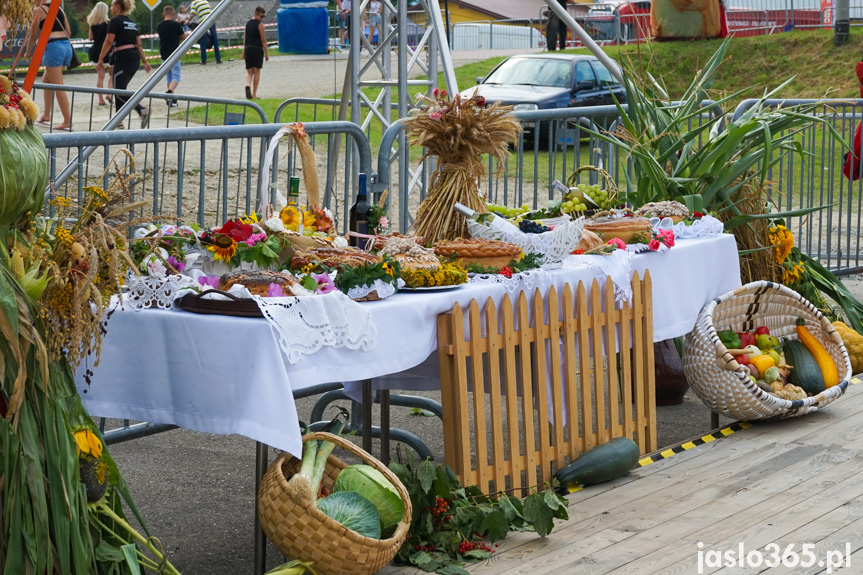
{"x": 723, "y": 384}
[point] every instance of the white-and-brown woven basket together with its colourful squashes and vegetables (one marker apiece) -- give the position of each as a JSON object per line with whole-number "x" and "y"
{"x": 764, "y": 352}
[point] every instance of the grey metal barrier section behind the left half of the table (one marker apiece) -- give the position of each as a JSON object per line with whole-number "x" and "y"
{"x": 204, "y": 174}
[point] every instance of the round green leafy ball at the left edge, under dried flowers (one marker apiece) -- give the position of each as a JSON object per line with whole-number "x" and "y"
{"x": 23, "y": 173}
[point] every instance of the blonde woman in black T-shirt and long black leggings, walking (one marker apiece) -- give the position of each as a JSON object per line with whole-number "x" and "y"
{"x": 125, "y": 41}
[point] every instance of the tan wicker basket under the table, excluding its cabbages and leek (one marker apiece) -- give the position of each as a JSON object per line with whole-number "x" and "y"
{"x": 301, "y": 531}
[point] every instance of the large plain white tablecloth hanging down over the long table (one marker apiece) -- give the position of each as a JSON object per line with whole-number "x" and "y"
{"x": 220, "y": 374}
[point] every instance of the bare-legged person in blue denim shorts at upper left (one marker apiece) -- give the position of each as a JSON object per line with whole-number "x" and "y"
{"x": 58, "y": 53}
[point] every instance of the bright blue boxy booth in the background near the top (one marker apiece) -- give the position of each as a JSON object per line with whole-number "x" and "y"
{"x": 304, "y": 27}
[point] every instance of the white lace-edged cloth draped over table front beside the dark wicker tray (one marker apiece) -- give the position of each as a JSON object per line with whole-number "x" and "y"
{"x": 306, "y": 324}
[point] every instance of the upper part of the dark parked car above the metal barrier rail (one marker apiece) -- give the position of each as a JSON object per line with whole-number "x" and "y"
{"x": 549, "y": 81}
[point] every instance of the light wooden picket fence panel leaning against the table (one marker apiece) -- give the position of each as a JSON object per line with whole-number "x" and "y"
{"x": 508, "y": 384}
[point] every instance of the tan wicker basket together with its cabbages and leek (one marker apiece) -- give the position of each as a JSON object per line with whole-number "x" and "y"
{"x": 345, "y": 520}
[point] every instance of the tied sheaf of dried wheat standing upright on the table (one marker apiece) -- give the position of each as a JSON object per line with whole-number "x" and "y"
{"x": 458, "y": 132}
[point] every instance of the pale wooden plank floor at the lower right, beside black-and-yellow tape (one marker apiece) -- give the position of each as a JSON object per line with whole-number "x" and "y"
{"x": 793, "y": 481}
